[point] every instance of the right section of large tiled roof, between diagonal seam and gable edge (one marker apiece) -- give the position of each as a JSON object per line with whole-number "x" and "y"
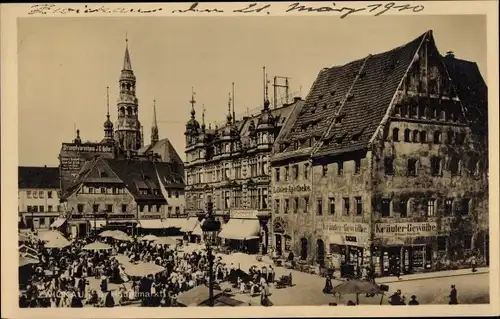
{"x": 371, "y": 95}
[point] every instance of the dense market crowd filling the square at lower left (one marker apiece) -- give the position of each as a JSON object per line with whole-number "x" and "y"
{"x": 61, "y": 278}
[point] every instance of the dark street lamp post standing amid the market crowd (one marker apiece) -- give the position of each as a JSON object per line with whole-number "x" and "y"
{"x": 210, "y": 228}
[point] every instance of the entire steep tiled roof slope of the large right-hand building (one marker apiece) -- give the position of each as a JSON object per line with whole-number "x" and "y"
{"x": 347, "y": 103}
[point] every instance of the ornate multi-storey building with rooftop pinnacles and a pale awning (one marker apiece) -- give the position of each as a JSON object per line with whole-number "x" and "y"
{"x": 230, "y": 164}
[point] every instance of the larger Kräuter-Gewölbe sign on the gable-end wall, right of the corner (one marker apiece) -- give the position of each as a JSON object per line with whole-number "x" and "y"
{"x": 406, "y": 229}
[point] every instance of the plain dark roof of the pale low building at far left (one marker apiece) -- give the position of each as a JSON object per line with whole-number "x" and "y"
{"x": 38, "y": 177}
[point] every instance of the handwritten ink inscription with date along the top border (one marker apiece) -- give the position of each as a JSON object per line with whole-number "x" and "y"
{"x": 377, "y": 9}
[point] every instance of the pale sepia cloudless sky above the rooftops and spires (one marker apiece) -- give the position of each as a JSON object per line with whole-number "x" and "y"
{"x": 65, "y": 65}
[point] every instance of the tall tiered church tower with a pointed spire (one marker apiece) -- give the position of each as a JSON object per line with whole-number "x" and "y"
{"x": 128, "y": 128}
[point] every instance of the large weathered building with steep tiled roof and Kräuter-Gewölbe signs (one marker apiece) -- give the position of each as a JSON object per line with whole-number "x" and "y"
{"x": 387, "y": 164}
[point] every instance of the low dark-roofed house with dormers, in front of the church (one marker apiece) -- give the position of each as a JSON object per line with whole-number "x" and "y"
{"x": 124, "y": 194}
